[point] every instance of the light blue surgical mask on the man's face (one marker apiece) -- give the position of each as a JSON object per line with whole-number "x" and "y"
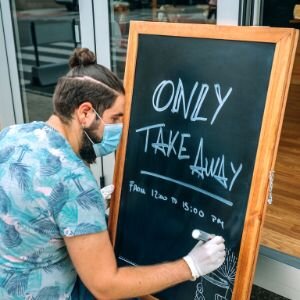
{"x": 110, "y": 139}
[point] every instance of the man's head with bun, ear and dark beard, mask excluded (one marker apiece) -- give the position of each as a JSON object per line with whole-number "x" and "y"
{"x": 86, "y": 91}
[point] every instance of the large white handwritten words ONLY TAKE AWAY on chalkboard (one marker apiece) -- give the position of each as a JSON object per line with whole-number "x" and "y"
{"x": 176, "y": 144}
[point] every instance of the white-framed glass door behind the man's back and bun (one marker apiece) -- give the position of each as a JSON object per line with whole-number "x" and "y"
{"x": 36, "y": 39}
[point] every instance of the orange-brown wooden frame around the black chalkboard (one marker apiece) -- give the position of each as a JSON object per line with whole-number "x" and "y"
{"x": 285, "y": 41}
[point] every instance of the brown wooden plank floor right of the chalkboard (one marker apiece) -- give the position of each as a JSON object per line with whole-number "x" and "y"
{"x": 282, "y": 218}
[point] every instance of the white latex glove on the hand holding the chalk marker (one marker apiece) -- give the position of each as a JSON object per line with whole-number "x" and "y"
{"x": 205, "y": 258}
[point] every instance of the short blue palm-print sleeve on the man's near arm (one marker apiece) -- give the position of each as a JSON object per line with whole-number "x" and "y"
{"x": 83, "y": 210}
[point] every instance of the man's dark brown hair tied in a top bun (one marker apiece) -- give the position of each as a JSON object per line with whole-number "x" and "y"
{"x": 86, "y": 81}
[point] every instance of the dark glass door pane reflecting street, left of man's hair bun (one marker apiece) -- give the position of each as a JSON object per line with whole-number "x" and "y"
{"x": 45, "y": 34}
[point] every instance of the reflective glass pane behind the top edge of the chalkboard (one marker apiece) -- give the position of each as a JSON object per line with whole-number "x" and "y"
{"x": 179, "y": 11}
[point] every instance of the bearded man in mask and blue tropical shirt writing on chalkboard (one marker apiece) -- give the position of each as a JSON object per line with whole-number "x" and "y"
{"x": 52, "y": 217}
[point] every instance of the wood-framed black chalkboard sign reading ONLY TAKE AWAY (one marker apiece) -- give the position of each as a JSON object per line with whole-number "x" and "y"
{"x": 200, "y": 140}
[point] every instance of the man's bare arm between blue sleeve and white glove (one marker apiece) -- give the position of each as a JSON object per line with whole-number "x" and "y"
{"x": 94, "y": 260}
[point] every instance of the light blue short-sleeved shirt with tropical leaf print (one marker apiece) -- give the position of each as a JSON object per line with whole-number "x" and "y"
{"x": 46, "y": 192}
